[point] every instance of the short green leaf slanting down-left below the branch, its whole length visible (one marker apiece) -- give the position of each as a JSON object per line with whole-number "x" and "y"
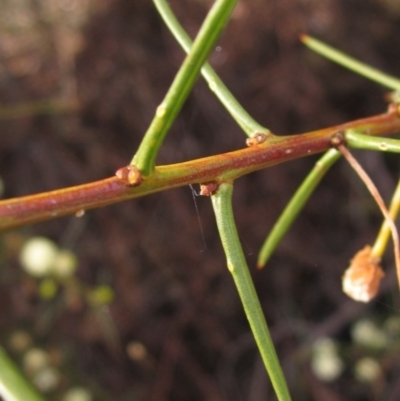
{"x": 295, "y": 205}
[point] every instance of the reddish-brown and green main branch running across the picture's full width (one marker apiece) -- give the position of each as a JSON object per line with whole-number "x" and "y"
{"x": 227, "y": 166}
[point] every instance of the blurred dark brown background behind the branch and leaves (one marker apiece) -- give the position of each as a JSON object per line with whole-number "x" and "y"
{"x": 104, "y": 66}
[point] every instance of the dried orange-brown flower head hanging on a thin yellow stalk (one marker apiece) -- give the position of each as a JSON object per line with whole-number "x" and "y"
{"x": 361, "y": 280}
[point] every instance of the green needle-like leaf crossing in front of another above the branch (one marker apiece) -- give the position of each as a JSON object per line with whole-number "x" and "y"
{"x": 167, "y": 111}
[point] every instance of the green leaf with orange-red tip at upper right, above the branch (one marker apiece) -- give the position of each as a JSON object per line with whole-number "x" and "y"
{"x": 352, "y": 64}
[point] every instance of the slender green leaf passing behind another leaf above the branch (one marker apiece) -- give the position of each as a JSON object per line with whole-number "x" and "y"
{"x": 244, "y": 120}
